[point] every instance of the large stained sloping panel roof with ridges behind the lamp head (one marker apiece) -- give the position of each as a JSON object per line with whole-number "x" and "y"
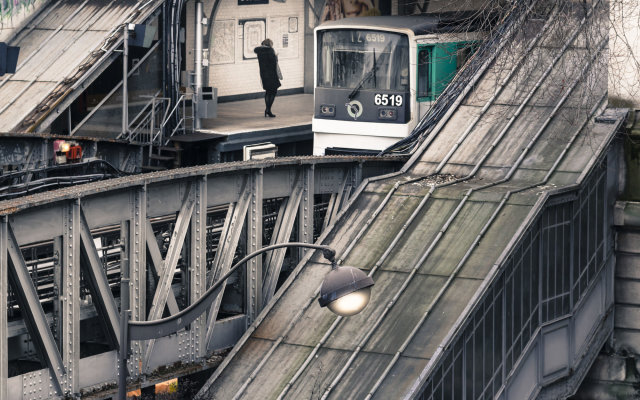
{"x": 526, "y": 127}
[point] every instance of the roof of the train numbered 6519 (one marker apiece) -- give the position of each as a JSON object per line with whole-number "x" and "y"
{"x": 418, "y": 24}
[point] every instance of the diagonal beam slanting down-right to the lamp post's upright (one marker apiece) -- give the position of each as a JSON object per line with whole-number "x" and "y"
{"x": 96, "y": 279}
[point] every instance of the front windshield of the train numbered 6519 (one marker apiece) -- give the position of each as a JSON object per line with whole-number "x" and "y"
{"x": 365, "y": 59}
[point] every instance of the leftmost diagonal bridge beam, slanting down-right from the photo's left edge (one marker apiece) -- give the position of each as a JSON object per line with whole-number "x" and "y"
{"x": 32, "y": 310}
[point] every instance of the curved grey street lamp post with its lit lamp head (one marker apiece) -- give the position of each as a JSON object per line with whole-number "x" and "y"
{"x": 345, "y": 291}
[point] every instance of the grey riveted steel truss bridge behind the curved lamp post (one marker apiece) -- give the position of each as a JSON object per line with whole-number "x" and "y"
{"x": 65, "y": 258}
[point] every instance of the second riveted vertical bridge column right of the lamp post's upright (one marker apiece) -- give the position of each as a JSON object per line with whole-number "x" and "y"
{"x": 198, "y": 268}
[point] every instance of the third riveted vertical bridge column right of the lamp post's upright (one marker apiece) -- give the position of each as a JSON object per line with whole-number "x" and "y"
{"x": 254, "y": 243}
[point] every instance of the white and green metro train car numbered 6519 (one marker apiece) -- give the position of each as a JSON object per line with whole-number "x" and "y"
{"x": 376, "y": 76}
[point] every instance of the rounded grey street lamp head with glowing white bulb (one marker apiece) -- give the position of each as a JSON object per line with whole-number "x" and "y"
{"x": 345, "y": 291}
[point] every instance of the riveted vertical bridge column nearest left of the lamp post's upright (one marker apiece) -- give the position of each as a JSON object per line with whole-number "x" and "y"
{"x": 70, "y": 297}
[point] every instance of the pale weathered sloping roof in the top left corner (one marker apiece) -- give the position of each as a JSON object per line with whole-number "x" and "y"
{"x": 55, "y": 49}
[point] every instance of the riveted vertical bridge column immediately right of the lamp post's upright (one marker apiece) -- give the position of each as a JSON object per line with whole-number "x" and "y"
{"x": 138, "y": 270}
